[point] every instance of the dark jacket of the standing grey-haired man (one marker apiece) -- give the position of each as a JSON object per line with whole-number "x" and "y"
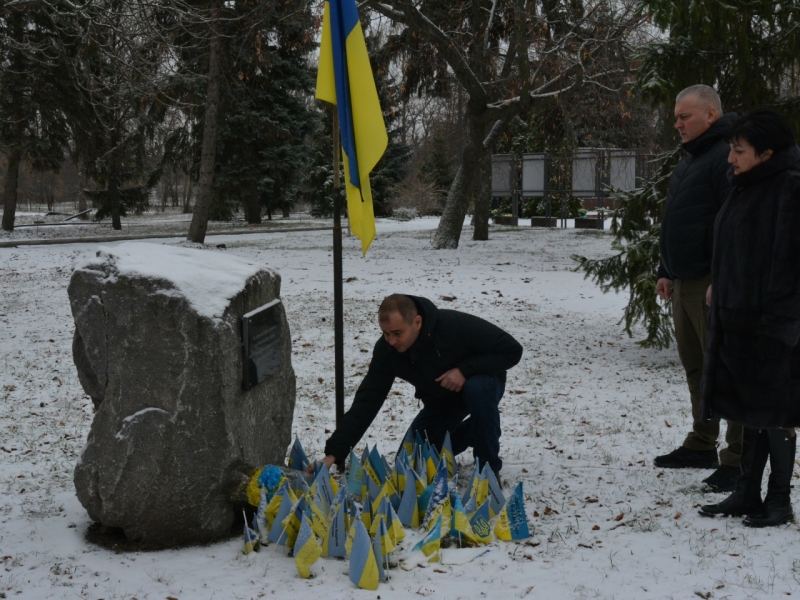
{"x": 697, "y": 189}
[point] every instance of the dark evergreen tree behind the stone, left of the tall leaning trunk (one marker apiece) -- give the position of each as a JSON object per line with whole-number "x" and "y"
{"x": 114, "y": 62}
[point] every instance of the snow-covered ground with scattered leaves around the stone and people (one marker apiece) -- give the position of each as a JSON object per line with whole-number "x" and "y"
{"x": 583, "y": 415}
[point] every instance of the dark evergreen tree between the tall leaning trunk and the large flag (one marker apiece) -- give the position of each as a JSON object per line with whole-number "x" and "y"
{"x": 267, "y": 115}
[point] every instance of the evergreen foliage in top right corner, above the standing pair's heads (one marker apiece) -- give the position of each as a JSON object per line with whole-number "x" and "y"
{"x": 748, "y": 49}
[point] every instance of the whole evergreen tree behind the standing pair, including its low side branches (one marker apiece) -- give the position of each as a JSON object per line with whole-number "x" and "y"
{"x": 749, "y": 49}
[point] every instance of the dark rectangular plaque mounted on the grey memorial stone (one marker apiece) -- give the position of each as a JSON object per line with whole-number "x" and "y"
{"x": 261, "y": 343}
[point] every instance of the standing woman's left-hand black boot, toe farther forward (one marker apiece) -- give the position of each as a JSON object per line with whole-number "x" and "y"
{"x": 746, "y": 498}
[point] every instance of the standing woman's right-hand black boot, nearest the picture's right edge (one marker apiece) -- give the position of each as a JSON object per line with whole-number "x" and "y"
{"x": 777, "y": 506}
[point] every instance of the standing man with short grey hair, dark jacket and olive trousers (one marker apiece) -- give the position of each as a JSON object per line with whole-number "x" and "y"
{"x": 698, "y": 187}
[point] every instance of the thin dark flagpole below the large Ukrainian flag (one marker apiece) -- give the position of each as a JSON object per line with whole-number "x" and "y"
{"x": 338, "y": 300}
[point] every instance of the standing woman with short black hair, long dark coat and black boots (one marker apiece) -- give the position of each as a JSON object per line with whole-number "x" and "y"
{"x": 752, "y": 366}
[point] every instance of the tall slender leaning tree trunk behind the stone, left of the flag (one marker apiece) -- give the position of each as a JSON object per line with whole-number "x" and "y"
{"x": 202, "y": 206}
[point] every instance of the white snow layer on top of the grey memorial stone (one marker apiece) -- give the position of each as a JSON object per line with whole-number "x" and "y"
{"x": 208, "y": 279}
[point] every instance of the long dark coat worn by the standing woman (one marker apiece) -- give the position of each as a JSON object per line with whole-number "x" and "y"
{"x": 752, "y": 364}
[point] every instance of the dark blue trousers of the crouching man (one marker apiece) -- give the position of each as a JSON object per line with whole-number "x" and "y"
{"x": 476, "y": 424}
